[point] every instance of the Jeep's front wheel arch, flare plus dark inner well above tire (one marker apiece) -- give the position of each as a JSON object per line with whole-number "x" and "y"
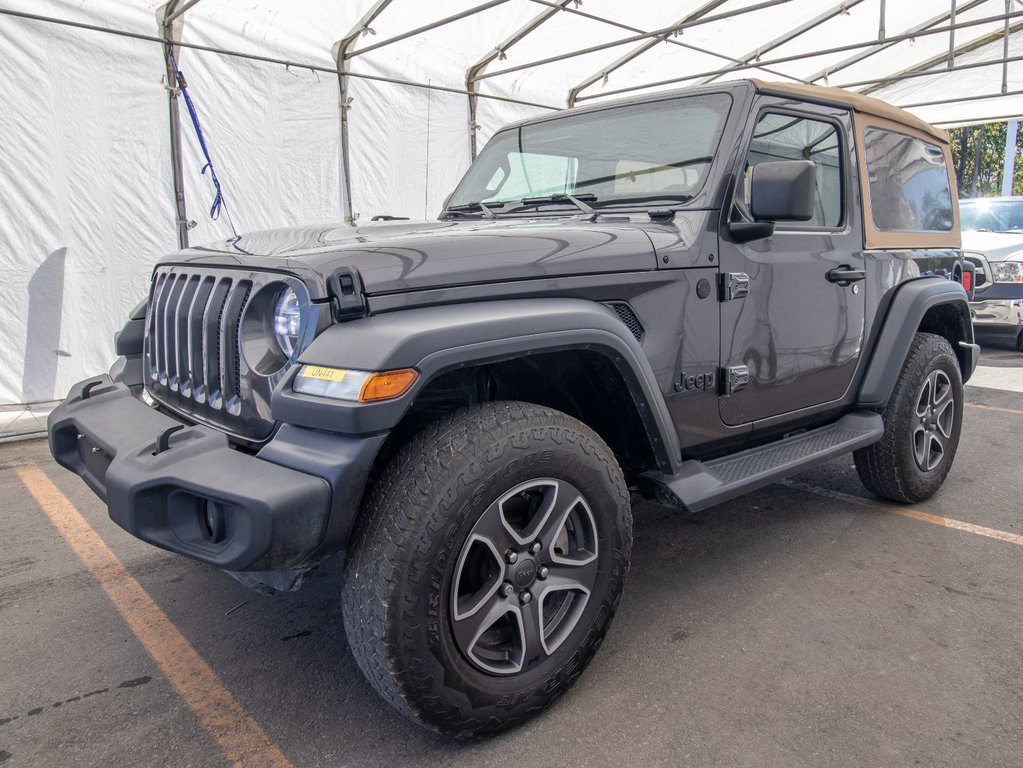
{"x": 539, "y": 351}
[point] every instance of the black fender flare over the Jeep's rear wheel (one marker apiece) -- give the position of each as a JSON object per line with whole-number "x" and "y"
{"x": 902, "y": 321}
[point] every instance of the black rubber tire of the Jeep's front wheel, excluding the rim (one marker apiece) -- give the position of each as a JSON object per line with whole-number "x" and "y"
{"x": 397, "y": 604}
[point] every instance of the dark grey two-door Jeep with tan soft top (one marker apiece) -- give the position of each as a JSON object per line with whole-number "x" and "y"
{"x": 688, "y": 296}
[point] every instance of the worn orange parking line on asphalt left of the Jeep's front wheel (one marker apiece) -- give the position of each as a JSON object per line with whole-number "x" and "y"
{"x": 242, "y": 740}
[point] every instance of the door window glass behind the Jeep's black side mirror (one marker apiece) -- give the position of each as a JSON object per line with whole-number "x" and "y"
{"x": 780, "y": 138}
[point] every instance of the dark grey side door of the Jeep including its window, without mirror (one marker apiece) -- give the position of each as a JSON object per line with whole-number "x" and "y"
{"x": 791, "y": 337}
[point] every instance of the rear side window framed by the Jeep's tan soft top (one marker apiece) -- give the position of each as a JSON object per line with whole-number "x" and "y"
{"x": 909, "y": 183}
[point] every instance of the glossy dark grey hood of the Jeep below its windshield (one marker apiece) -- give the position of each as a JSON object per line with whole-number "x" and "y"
{"x": 413, "y": 256}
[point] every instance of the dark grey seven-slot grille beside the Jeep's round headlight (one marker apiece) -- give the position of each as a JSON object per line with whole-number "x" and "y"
{"x": 193, "y": 348}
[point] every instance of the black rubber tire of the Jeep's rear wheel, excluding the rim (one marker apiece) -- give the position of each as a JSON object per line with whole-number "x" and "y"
{"x": 891, "y": 468}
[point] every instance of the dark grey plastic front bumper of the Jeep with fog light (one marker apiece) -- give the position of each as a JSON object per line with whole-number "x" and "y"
{"x": 187, "y": 490}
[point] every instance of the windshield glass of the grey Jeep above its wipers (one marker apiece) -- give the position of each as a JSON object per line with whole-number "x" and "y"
{"x": 639, "y": 153}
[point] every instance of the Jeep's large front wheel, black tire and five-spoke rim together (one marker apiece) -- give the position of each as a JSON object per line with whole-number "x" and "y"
{"x": 487, "y": 566}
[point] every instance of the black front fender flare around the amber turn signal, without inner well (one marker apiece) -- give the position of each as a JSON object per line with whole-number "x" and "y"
{"x": 434, "y": 340}
